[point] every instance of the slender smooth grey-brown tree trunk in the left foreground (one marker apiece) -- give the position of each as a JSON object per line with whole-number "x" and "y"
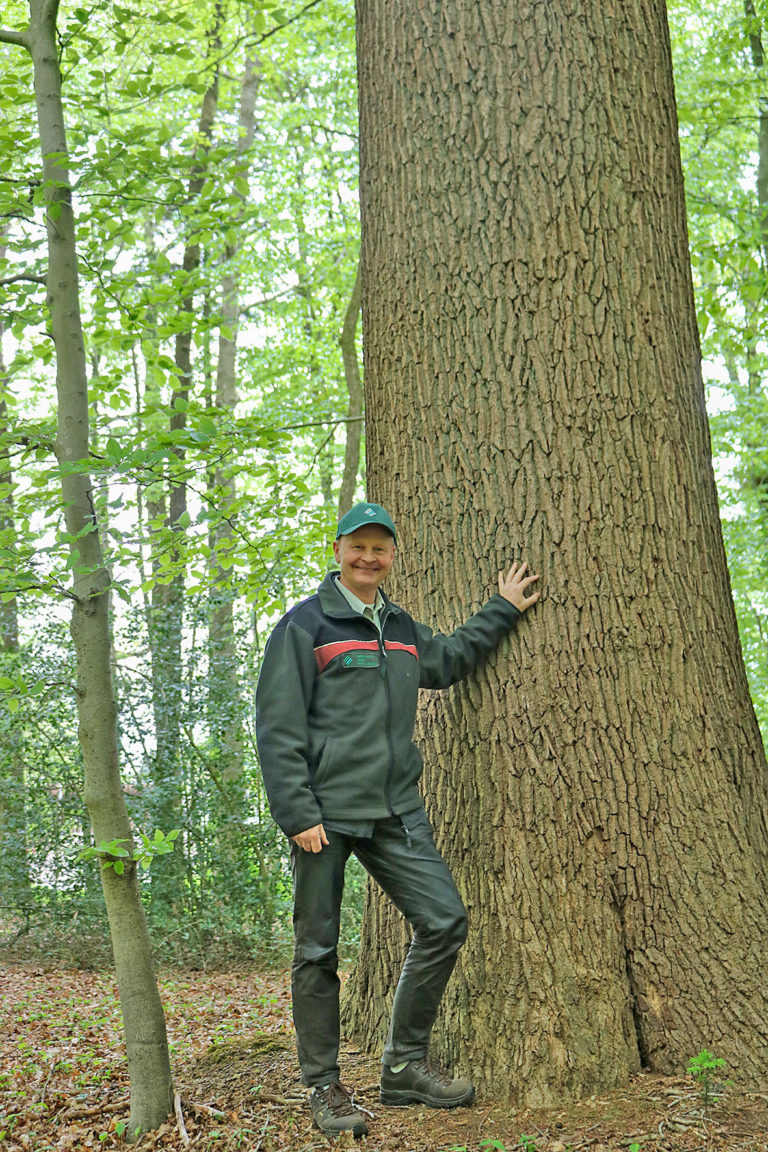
{"x": 143, "y": 1018}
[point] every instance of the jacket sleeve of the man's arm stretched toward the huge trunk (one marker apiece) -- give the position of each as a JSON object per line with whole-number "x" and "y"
{"x": 446, "y": 660}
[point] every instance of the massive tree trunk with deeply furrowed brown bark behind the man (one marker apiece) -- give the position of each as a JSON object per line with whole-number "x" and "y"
{"x": 534, "y": 389}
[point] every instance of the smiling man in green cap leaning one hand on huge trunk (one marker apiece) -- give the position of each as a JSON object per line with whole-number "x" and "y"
{"x": 336, "y": 708}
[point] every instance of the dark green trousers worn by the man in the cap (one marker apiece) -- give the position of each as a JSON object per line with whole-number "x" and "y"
{"x": 406, "y": 863}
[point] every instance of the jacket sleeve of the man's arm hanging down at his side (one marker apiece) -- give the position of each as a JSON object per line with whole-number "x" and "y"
{"x": 283, "y": 698}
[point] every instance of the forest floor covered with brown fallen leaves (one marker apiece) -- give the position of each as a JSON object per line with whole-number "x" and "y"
{"x": 64, "y": 1083}
